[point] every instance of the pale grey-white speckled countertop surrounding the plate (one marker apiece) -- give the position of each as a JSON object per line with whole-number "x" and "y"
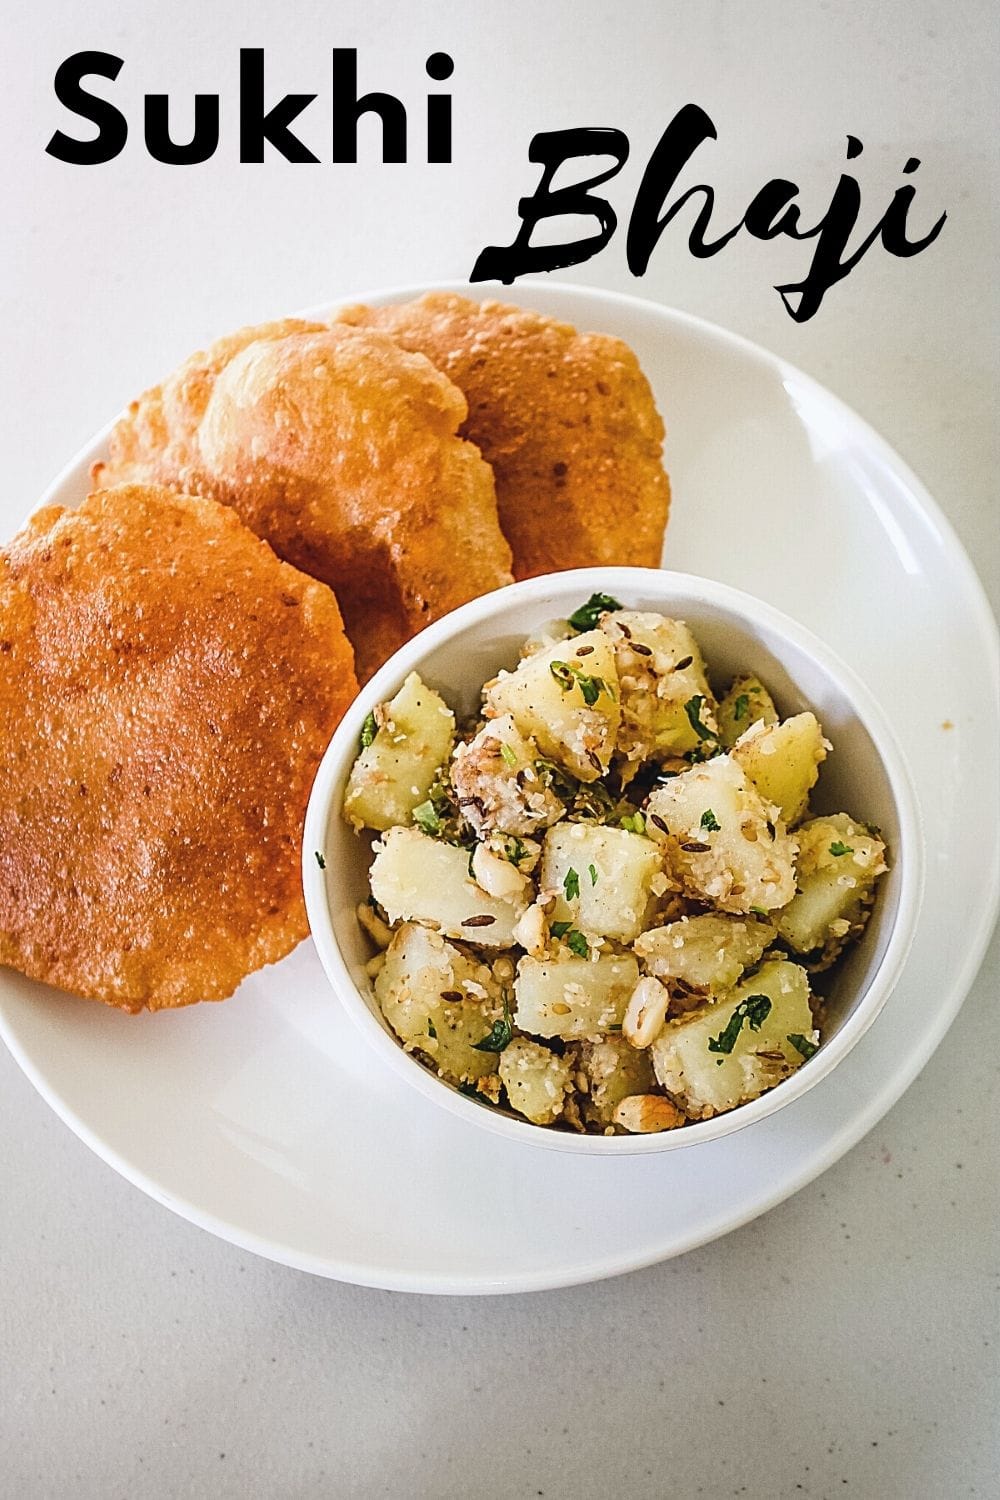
{"x": 846, "y": 1343}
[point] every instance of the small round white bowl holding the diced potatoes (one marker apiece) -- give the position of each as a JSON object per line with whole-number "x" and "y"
{"x": 866, "y": 776}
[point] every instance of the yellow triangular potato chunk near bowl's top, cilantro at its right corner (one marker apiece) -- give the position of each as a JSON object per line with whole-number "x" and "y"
{"x": 566, "y": 700}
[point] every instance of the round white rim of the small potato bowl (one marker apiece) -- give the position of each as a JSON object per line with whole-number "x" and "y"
{"x": 677, "y": 589}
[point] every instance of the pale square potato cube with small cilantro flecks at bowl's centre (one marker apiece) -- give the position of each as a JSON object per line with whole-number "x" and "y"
{"x": 602, "y": 877}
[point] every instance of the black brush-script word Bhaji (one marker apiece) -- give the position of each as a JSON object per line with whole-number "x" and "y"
{"x": 773, "y": 212}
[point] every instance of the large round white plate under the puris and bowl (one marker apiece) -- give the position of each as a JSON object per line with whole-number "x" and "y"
{"x": 271, "y": 1123}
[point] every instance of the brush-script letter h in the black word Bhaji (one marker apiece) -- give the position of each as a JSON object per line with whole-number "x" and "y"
{"x": 675, "y": 148}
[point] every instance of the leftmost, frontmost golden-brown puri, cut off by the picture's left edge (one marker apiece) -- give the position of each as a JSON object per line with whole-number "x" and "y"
{"x": 167, "y": 689}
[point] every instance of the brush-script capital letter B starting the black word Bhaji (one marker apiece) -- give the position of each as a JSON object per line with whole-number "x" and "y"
{"x": 554, "y": 149}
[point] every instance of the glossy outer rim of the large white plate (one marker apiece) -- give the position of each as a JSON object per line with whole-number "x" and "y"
{"x": 858, "y": 1124}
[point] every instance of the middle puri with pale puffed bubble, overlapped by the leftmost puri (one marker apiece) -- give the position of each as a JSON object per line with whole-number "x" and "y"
{"x": 341, "y": 449}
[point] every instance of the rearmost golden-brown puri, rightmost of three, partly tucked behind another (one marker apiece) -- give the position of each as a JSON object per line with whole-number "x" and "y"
{"x": 566, "y": 419}
